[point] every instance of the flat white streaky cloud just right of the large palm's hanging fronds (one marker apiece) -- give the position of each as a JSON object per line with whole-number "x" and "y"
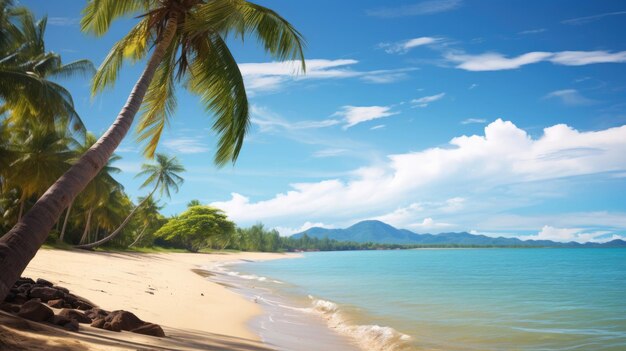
{"x": 269, "y": 76}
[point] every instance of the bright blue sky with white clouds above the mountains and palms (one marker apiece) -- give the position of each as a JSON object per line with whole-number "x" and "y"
{"x": 497, "y": 117}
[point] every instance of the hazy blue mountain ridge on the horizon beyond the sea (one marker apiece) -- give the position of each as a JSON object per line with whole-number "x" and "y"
{"x": 383, "y": 233}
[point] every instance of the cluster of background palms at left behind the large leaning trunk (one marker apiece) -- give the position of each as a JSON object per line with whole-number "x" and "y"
{"x": 41, "y": 138}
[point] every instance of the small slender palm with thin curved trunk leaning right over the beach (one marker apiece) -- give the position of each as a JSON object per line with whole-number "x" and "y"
{"x": 164, "y": 175}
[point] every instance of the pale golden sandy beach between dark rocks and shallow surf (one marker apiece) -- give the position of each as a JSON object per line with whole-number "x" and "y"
{"x": 162, "y": 288}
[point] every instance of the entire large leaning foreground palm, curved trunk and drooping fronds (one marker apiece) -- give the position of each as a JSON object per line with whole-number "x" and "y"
{"x": 187, "y": 42}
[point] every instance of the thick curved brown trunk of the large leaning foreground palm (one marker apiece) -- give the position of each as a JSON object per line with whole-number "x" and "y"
{"x": 19, "y": 245}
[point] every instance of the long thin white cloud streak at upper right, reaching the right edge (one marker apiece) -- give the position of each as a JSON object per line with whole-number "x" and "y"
{"x": 497, "y": 62}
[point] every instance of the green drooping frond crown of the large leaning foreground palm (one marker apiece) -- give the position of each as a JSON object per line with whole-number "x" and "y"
{"x": 197, "y": 57}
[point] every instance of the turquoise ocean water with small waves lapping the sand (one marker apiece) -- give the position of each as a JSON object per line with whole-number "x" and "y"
{"x": 474, "y": 299}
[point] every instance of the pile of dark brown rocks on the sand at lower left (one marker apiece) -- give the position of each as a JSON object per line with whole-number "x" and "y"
{"x": 32, "y": 300}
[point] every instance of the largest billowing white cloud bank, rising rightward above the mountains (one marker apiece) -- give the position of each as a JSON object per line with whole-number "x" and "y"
{"x": 504, "y": 155}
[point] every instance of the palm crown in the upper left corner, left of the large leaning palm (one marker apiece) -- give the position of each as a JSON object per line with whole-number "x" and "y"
{"x": 27, "y": 70}
